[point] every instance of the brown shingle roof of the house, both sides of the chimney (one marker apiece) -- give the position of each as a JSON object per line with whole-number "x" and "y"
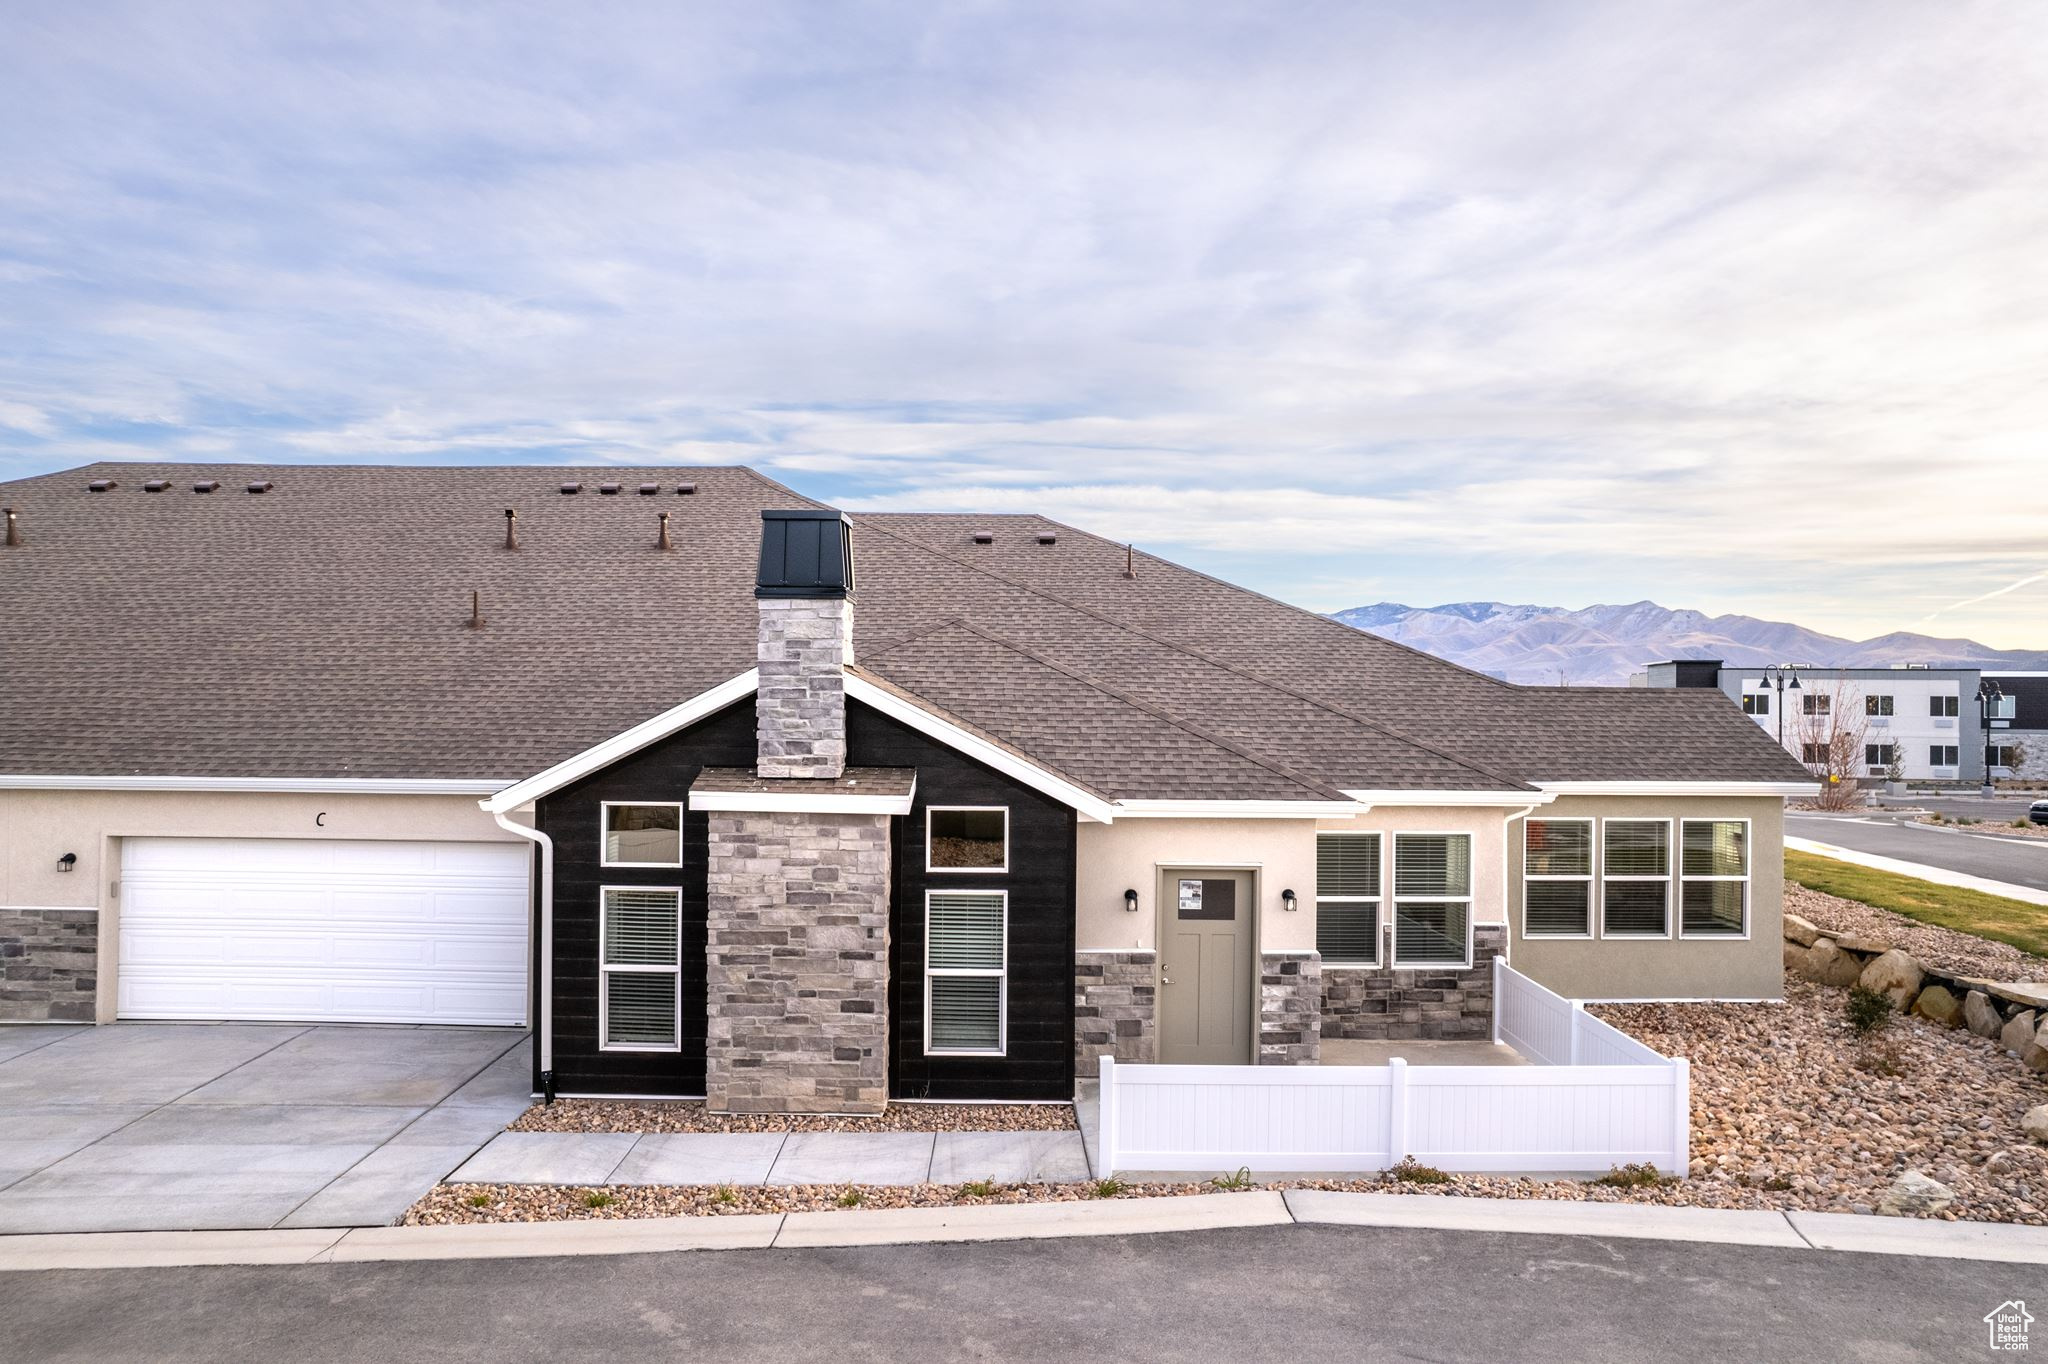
{"x": 323, "y": 630}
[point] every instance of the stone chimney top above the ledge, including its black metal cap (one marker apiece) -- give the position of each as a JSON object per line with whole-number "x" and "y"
{"x": 806, "y": 599}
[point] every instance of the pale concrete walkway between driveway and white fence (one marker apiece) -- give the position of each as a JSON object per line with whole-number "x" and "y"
{"x": 777, "y": 1158}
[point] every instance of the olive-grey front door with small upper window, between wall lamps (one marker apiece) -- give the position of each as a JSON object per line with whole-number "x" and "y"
{"x": 1205, "y": 968}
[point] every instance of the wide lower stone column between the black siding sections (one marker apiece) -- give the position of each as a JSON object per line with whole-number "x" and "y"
{"x": 798, "y": 964}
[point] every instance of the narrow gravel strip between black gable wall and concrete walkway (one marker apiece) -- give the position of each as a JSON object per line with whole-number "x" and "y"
{"x": 691, "y": 1117}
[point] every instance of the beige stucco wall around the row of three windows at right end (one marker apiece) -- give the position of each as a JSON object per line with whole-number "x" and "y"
{"x": 1666, "y": 968}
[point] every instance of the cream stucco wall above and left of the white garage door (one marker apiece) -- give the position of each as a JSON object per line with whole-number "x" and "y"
{"x": 42, "y": 826}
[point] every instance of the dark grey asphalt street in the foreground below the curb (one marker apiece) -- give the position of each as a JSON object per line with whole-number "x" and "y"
{"x": 1273, "y": 1293}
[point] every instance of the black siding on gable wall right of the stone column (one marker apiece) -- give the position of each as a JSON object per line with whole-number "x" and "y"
{"x": 1039, "y": 1056}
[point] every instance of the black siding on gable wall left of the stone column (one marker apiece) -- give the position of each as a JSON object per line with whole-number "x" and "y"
{"x": 570, "y": 818}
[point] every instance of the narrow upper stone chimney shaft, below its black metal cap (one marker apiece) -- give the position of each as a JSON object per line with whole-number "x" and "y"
{"x": 800, "y": 714}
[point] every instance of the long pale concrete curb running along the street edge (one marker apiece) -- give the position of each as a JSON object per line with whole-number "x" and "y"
{"x": 1801, "y": 1232}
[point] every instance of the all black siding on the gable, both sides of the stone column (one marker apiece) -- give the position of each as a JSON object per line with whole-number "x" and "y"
{"x": 1039, "y": 1058}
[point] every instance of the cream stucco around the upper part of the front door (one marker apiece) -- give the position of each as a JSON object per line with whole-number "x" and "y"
{"x": 1132, "y": 853}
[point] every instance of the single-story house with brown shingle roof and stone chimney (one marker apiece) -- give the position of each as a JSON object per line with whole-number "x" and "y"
{"x": 732, "y": 796}
